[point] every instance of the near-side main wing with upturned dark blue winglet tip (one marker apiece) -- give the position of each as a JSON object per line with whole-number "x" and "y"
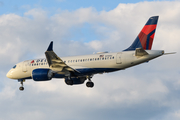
{"x": 55, "y": 62}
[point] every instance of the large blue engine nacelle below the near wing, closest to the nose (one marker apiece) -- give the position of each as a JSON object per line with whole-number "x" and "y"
{"x": 41, "y": 74}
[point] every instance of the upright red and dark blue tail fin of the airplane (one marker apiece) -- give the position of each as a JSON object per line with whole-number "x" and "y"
{"x": 145, "y": 38}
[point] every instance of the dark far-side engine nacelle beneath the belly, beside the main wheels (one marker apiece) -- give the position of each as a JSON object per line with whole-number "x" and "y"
{"x": 75, "y": 80}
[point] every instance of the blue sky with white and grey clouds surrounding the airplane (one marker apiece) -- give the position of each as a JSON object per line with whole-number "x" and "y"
{"x": 149, "y": 91}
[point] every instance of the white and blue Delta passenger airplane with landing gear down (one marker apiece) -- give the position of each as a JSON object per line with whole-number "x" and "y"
{"x": 77, "y": 69}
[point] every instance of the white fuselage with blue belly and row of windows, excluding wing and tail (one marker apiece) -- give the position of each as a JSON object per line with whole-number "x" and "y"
{"x": 96, "y": 63}
